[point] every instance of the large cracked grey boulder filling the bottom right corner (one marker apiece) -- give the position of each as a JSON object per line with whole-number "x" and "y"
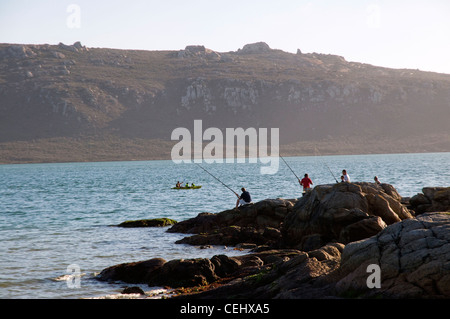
{"x": 413, "y": 257}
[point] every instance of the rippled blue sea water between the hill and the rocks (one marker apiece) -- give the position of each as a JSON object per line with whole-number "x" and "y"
{"x": 53, "y": 216}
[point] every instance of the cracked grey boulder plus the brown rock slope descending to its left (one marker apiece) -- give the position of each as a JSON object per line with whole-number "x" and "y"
{"x": 413, "y": 255}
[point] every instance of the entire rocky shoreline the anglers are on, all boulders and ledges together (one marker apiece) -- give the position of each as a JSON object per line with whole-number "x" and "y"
{"x": 346, "y": 240}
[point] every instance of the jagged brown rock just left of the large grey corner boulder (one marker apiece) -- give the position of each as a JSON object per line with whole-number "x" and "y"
{"x": 292, "y": 275}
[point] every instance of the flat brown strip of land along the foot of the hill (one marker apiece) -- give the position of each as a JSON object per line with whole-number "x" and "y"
{"x": 113, "y": 148}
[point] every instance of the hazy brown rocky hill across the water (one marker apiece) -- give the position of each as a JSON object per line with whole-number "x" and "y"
{"x": 72, "y": 103}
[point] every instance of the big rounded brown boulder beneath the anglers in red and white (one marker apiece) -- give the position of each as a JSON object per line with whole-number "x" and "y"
{"x": 342, "y": 212}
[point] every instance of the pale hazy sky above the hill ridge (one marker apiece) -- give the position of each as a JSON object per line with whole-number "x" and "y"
{"x": 392, "y": 33}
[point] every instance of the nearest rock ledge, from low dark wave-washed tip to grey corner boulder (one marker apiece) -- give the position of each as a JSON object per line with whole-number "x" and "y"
{"x": 413, "y": 256}
